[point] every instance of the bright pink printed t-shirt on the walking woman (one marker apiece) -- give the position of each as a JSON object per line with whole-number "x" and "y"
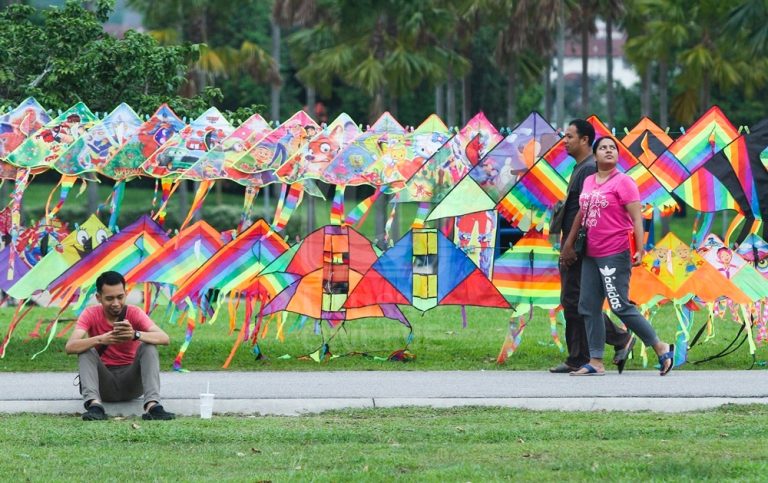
{"x": 608, "y": 222}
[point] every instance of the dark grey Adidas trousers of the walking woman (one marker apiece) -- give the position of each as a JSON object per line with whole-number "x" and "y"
{"x": 608, "y": 277}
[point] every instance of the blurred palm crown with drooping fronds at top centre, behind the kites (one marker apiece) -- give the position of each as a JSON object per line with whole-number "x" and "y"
{"x": 385, "y": 49}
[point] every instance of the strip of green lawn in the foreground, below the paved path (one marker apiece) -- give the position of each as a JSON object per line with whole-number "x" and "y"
{"x": 412, "y": 444}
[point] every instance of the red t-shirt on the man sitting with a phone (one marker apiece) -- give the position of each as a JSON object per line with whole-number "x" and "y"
{"x": 94, "y": 321}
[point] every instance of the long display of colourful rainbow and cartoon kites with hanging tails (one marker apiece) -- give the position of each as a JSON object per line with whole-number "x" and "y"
{"x": 461, "y": 180}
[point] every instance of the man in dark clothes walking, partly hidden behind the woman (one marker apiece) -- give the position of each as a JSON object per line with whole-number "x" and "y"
{"x": 578, "y": 143}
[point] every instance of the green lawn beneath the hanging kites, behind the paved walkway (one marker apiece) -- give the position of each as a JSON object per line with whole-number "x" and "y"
{"x": 440, "y": 343}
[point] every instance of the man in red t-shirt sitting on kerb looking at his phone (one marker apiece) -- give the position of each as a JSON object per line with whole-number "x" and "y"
{"x": 118, "y": 361}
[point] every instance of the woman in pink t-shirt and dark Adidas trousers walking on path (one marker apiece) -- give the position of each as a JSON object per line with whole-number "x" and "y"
{"x": 610, "y": 209}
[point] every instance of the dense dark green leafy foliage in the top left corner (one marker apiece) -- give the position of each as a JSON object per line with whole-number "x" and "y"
{"x": 62, "y": 56}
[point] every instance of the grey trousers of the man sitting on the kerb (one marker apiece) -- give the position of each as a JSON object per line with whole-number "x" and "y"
{"x": 121, "y": 383}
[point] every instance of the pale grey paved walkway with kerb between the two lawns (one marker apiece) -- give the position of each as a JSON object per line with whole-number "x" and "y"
{"x": 292, "y": 393}
